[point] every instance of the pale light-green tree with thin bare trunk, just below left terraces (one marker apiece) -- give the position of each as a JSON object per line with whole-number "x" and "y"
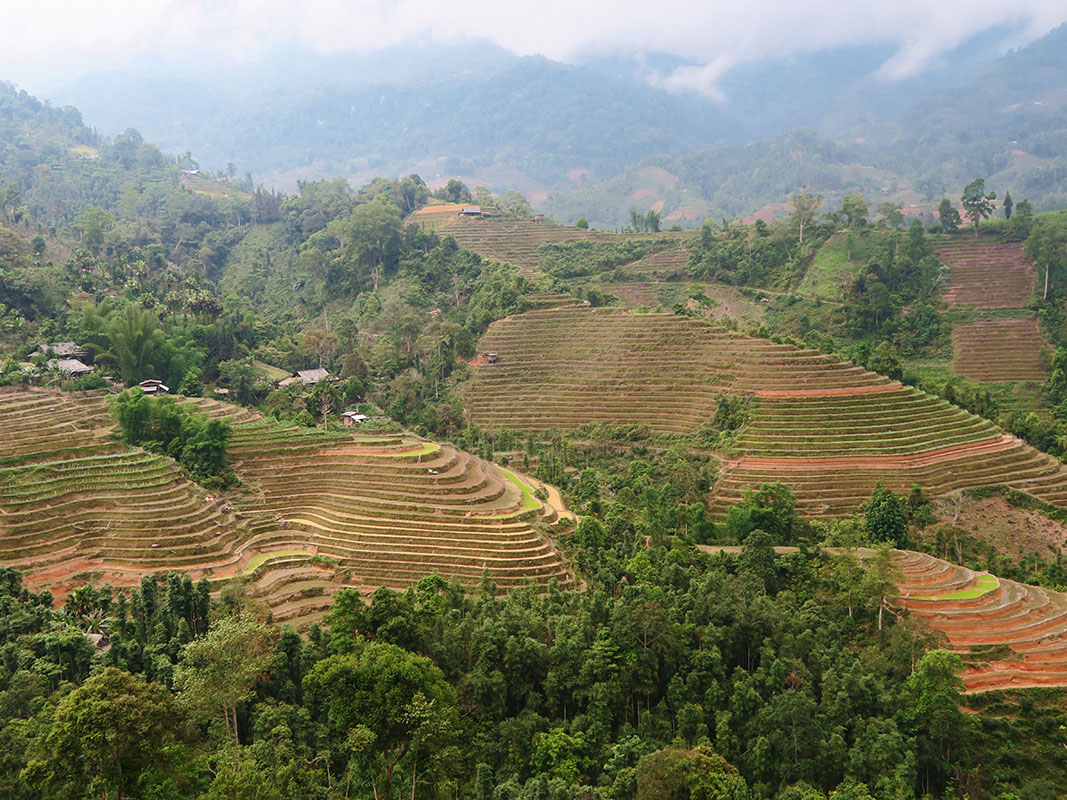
{"x": 219, "y": 671}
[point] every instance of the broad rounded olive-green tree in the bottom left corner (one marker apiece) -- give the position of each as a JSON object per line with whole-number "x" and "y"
{"x": 105, "y": 738}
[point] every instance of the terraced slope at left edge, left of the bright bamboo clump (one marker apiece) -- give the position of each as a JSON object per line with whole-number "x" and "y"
{"x": 73, "y": 497}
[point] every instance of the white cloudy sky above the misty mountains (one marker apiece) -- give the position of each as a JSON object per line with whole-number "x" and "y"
{"x": 53, "y": 41}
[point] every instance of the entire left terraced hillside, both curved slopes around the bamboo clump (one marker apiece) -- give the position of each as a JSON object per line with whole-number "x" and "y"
{"x": 384, "y": 511}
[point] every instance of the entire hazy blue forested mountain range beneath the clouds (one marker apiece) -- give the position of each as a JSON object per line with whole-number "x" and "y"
{"x": 597, "y": 139}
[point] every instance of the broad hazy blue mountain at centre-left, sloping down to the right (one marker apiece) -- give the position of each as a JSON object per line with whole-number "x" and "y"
{"x": 537, "y": 117}
